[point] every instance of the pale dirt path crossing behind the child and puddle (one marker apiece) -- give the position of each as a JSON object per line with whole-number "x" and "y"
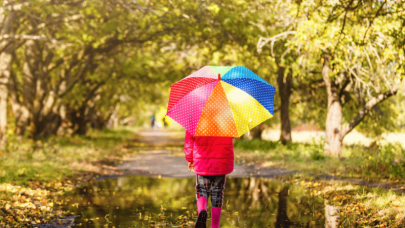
{"x": 162, "y": 157}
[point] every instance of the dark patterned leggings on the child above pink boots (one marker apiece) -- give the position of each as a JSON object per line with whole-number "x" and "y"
{"x": 214, "y": 185}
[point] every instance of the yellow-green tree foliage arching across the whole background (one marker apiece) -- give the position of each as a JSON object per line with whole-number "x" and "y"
{"x": 106, "y": 57}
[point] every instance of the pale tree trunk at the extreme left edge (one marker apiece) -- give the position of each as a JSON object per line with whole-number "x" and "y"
{"x": 5, "y": 65}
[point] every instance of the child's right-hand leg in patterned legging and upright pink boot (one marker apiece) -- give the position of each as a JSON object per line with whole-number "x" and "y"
{"x": 217, "y": 196}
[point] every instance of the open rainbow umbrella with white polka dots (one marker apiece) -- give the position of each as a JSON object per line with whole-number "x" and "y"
{"x": 221, "y": 101}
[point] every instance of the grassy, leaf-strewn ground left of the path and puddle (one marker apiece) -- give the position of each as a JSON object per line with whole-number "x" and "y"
{"x": 33, "y": 174}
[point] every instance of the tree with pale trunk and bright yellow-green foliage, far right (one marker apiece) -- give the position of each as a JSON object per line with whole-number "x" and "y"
{"x": 352, "y": 65}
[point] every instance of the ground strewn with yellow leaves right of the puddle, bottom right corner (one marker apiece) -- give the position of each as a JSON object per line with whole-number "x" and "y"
{"x": 360, "y": 206}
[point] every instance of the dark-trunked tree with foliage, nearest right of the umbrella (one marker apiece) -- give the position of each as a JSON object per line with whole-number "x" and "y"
{"x": 286, "y": 17}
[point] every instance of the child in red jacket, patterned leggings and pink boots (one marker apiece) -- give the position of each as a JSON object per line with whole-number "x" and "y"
{"x": 211, "y": 158}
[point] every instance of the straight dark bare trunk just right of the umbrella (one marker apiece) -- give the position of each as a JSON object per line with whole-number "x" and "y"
{"x": 285, "y": 91}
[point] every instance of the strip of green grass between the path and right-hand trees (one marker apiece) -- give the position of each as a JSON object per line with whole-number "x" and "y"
{"x": 371, "y": 163}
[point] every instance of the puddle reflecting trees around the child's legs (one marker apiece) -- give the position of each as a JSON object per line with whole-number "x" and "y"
{"x": 137, "y": 201}
